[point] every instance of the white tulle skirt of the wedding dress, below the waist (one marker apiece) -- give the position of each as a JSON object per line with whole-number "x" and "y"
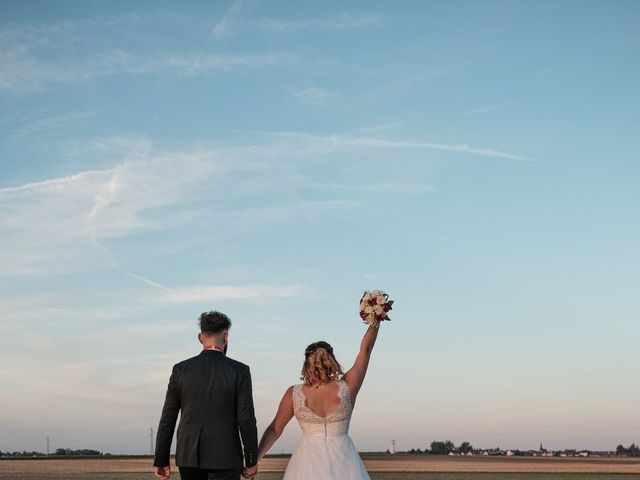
{"x": 321, "y": 457}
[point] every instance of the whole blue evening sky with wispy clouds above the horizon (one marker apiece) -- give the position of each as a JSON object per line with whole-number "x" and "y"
{"x": 478, "y": 161}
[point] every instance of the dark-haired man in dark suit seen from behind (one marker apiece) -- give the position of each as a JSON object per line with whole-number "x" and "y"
{"x": 213, "y": 394}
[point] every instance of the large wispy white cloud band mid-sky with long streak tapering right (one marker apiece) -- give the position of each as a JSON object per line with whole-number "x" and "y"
{"x": 65, "y": 224}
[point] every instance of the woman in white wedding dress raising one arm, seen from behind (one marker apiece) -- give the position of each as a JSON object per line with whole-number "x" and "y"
{"x": 323, "y": 405}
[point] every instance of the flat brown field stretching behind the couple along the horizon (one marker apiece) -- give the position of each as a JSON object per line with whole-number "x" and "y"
{"x": 381, "y": 467}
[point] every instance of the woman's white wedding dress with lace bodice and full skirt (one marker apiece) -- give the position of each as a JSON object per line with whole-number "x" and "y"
{"x": 325, "y": 452}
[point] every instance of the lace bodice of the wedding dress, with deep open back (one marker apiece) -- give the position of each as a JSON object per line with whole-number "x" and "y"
{"x": 339, "y": 419}
